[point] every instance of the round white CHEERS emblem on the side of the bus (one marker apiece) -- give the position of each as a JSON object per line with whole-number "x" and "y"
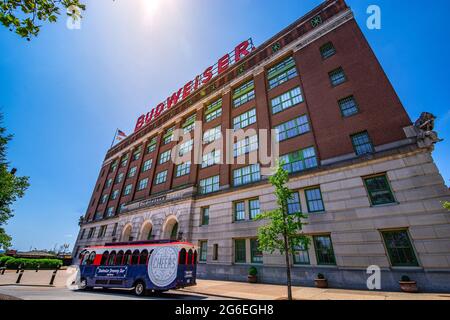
{"x": 163, "y": 266}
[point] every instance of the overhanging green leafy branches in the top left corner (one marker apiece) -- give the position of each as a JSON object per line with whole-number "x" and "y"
{"x": 25, "y": 17}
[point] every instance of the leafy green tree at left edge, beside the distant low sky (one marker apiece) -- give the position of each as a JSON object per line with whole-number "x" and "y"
{"x": 12, "y": 187}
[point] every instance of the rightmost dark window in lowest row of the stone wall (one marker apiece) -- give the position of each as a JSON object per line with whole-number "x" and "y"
{"x": 400, "y": 250}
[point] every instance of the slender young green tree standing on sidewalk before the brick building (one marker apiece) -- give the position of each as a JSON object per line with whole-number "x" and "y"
{"x": 283, "y": 233}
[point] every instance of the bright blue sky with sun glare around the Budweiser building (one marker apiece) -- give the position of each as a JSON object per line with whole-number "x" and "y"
{"x": 64, "y": 94}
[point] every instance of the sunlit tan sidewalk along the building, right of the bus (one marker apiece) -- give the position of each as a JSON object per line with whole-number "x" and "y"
{"x": 248, "y": 291}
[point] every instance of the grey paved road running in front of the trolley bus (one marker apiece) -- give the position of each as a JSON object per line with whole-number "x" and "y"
{"x": 46, "y": 293}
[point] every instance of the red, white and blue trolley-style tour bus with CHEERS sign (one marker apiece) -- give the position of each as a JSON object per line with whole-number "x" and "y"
{"x": 143, "y": 266}
